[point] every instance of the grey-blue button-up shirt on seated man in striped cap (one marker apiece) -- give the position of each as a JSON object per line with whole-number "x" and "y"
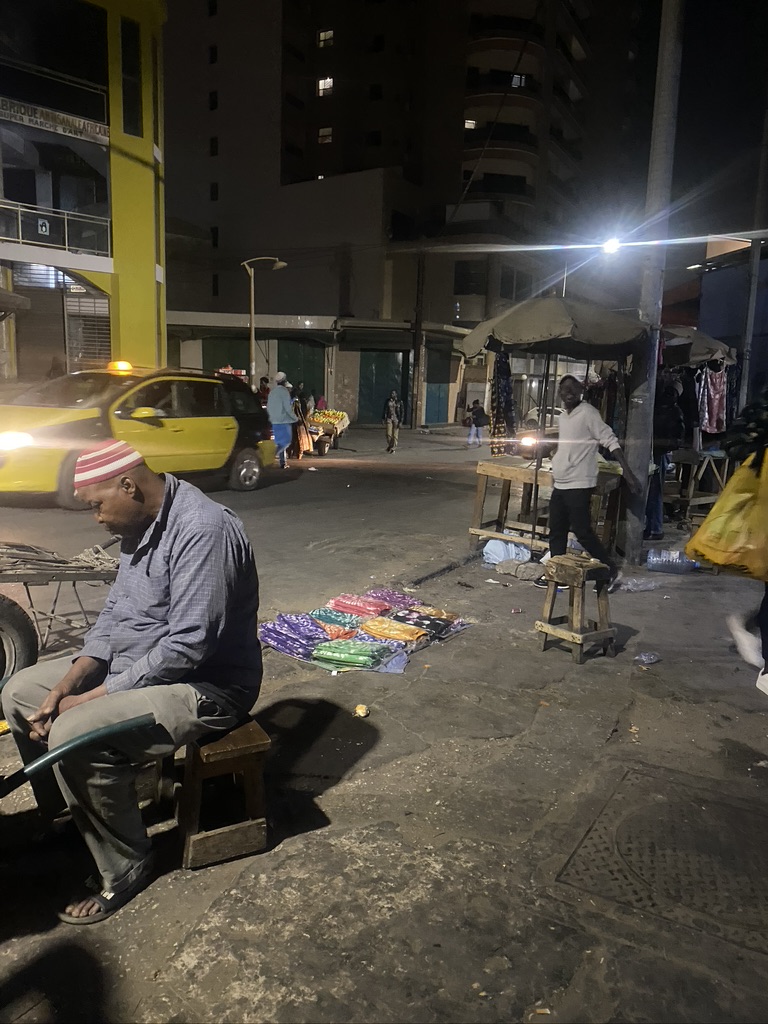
{"x": 184, "y": 607}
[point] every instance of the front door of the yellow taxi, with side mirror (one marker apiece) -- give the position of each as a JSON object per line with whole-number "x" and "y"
{"x": 159, "y": 439}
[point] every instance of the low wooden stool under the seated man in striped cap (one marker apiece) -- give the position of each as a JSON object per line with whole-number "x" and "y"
{"x": 241, "y": 752}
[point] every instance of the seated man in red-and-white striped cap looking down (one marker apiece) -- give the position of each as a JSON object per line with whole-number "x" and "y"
{"x": 177, "y": 638}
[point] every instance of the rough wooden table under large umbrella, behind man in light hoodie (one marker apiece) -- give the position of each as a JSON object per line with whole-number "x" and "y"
{"x": 514, "y": 470}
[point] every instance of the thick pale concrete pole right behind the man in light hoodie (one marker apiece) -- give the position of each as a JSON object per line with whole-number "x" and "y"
{"x": 658, "y": 197}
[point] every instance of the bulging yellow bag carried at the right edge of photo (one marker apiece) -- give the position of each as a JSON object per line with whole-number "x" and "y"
{"x": 735, "y": 535}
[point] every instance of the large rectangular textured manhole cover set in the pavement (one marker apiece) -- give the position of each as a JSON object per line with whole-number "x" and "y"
{"x": 666, "y": 847}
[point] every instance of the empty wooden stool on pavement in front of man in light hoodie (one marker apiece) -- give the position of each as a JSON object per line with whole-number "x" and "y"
{"x": 575, "y": 573}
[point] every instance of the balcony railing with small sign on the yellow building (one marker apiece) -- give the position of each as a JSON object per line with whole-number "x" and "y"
{"x": 74, "y": 233}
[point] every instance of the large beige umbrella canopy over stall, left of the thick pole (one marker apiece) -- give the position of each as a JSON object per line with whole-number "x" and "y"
{"x": 566, "y": 327}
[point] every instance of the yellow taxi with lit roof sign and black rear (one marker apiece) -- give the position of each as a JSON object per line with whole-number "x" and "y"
{"x": 187, "y": 423}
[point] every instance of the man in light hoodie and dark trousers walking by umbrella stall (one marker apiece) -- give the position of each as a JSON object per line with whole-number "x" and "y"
{"x": 581, "y": 433}
